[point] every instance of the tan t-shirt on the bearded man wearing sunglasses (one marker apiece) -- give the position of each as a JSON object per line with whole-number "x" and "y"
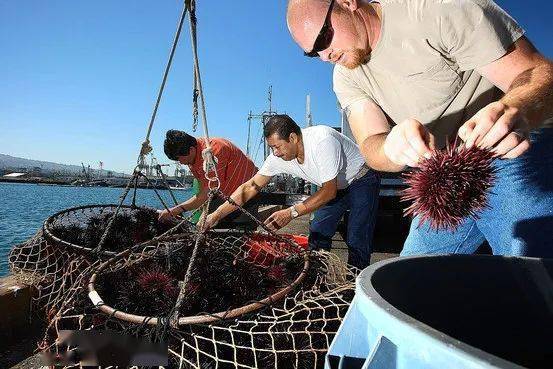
{"x": 423, "y": 66}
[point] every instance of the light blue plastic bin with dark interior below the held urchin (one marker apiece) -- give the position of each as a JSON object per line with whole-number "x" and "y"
{"x": 457, "y": 311}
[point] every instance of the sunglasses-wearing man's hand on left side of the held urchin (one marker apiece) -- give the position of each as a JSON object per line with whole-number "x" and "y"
{"x": 408, "y": 143}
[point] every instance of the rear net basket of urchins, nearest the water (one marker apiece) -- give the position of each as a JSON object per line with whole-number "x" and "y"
{"x": 52, "y": 260}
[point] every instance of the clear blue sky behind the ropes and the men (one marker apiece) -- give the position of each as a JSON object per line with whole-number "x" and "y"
{"x": 79, "y": 79}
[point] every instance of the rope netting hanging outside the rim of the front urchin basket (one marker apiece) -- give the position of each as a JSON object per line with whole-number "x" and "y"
{"x": 292, "y": 332}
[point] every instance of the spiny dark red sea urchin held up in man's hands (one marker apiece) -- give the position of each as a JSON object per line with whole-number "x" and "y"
{"x": 450, "y": 186}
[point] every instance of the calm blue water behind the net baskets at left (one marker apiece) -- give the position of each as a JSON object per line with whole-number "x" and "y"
{"x": 24, "y": 207}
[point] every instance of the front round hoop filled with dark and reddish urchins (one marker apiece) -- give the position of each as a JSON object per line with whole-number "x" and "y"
{"x": 233, "y": 274}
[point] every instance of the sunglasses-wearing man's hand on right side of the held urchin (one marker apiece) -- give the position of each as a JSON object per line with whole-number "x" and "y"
{"x": 498, "y": 127}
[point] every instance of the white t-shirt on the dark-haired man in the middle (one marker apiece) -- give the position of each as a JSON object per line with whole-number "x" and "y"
{"x": 328, "y": 155}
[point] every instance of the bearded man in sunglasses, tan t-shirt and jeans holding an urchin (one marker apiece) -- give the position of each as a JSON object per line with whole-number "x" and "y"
{"x": 413, "y": 74}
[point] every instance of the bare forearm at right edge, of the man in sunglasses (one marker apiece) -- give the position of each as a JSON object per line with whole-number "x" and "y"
{"x": 532, "y": 93}
